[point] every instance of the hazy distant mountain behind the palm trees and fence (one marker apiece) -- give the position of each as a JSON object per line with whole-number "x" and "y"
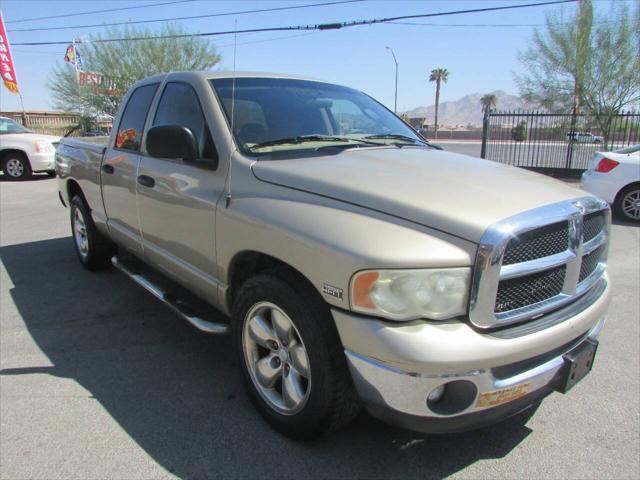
{"x": 466, "y": 110}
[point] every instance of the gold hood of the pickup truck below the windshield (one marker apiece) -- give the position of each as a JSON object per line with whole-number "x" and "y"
{"x": 454, "y": 193}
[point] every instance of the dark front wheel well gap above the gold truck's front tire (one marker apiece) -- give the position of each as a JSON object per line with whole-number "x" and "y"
{"x": 248, "y": 264}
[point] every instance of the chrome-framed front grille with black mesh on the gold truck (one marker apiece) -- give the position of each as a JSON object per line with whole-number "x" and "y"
{"x": 538, "y": 261}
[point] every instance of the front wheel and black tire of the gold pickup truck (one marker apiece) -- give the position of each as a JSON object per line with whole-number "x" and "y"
{"x": 326, "y": 398}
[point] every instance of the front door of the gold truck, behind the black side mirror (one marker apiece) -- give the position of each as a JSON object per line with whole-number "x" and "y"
{"x": 177, "y": 212}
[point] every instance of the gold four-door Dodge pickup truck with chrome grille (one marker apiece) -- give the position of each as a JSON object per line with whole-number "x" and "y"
{"x": 352, "y": 263}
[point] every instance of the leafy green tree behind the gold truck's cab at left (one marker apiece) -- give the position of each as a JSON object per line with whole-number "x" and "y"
{"x": 124, "y": 62}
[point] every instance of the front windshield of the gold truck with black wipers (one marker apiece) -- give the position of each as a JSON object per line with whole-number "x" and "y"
{"x": 275, "y": 117}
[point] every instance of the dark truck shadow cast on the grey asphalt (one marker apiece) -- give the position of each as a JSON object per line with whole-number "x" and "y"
{"x": 178, "y": 393}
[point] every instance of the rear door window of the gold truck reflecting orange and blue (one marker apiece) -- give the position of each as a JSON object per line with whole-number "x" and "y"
{"x": 132, "y": 123}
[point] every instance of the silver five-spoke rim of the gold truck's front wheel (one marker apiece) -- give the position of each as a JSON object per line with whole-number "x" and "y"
{"x": 276, "y": 358}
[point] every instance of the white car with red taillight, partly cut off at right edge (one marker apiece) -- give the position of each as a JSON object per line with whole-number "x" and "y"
{"x": 615, "y": 177}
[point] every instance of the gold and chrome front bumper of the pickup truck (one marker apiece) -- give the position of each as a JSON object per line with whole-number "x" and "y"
{"x": 396, "y": 366}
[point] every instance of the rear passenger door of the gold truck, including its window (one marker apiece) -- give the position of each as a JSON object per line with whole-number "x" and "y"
{"x": 119, "y": 169}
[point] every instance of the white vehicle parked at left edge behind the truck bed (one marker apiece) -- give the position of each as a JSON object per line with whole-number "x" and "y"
{"x": 23, "y": 152}
